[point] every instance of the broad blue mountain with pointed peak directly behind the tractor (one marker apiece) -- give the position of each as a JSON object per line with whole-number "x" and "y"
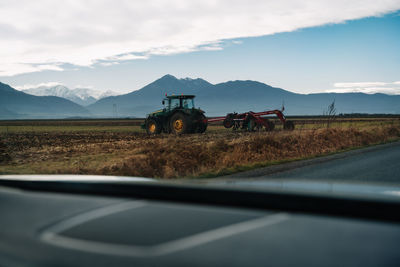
{"x": 241, "y": 96}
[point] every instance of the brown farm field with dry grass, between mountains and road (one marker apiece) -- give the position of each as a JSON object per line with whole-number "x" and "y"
{"x": 120, "y": 147}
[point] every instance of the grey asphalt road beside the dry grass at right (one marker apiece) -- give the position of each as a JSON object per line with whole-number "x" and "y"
{"x": 373, "y": 164}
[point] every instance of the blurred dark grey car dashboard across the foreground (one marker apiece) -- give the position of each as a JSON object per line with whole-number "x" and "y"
{"x": 78, "y": 224}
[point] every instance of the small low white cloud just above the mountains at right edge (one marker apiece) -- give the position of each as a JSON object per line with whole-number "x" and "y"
{"x": 390, "y": 88}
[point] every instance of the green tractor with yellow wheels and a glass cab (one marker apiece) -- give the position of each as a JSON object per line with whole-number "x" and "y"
{"x": 179, "y": 116}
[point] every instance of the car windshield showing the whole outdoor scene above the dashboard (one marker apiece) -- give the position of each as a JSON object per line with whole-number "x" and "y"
{"x": 292, "y": 96}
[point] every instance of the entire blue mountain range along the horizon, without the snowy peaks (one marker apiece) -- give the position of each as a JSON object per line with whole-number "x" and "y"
{"x": 215, "y": 99}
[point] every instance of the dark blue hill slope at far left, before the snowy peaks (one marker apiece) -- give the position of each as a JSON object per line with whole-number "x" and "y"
{"x": 17, "y": 104}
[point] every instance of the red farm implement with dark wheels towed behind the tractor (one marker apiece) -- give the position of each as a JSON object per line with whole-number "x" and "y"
{"x": 253, "y": 120}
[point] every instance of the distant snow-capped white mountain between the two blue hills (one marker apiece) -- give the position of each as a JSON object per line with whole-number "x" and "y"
{"x": 81, "y": 96}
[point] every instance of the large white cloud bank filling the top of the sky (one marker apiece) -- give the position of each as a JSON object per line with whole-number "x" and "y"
{"x": 45, "y": 34}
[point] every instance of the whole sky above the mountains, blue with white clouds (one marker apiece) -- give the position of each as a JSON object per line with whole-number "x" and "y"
{"x": 302, "y": 46}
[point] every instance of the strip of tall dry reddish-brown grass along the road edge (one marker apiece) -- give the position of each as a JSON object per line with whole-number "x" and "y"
{"x": 189, "y": 157}
